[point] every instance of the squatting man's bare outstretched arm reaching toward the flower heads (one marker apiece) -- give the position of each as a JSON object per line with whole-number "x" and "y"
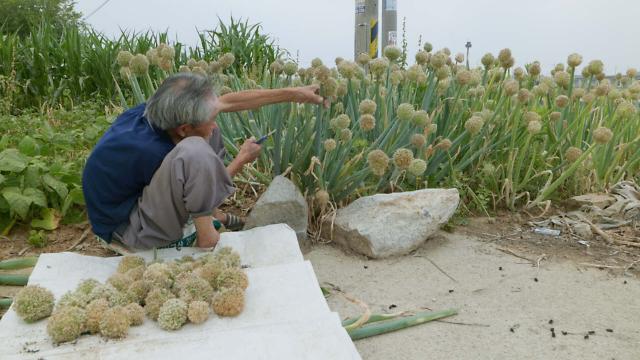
{"x": 253, "y": 99}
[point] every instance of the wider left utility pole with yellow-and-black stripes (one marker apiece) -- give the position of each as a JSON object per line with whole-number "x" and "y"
{"x": 366, "y": 28}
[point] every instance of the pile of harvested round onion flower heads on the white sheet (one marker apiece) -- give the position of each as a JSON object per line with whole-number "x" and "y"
{"x": 171, "y": 293}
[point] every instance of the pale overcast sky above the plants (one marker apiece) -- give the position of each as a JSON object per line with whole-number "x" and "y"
{"x": 543, "y": 30}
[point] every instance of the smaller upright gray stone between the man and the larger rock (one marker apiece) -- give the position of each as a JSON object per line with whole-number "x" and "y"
{"x": 281, "y": 203}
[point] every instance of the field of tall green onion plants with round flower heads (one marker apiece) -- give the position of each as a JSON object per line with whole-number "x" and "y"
{"x": 505, "y": 136}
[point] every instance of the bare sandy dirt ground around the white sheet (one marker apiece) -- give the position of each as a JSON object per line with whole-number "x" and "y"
{"x": 510, "y": 286}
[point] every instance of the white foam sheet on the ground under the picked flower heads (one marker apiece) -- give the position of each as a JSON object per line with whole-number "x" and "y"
{"x": 285, "y": 315}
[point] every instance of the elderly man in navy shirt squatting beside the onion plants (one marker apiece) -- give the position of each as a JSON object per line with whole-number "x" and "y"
{"x": 156, "y": 176}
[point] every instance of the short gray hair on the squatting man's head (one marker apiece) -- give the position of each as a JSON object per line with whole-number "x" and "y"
{"x": 183, "y": 98}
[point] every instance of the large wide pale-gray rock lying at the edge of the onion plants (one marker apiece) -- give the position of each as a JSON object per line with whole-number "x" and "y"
{"x": 385, "y": 225}
